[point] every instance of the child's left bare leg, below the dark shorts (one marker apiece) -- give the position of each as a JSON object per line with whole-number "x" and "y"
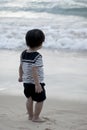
{"x": 29, "y": 106}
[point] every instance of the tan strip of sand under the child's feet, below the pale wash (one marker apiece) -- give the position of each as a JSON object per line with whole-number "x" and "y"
{"x": 59, "y": 115}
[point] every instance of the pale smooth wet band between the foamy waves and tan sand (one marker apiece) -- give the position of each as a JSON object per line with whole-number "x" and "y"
{"x": 65, "y": 74}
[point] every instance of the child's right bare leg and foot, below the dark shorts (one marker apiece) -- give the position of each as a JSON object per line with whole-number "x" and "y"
{"x": 38, "y": 108}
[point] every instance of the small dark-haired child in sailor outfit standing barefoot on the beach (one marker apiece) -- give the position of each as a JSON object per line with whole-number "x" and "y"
{"x": 32, "y": 75}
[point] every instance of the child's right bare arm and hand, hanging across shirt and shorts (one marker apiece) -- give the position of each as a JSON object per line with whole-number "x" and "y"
{"x": 38, "y": 87}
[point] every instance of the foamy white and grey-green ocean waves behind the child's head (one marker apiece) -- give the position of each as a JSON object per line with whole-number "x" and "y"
{"x": 64, "y": 23}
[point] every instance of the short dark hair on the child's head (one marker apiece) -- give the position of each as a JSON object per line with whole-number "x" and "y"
{"x": 34, "y": 38}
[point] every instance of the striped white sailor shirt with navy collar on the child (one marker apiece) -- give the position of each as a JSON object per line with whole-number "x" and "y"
{"x": 29, "y": 60}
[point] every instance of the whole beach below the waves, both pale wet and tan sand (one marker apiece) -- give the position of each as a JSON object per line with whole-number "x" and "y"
{"x": 66, "y": 104}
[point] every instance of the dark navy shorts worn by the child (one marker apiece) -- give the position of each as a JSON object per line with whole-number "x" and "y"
{"x": 29, "y": 91}
